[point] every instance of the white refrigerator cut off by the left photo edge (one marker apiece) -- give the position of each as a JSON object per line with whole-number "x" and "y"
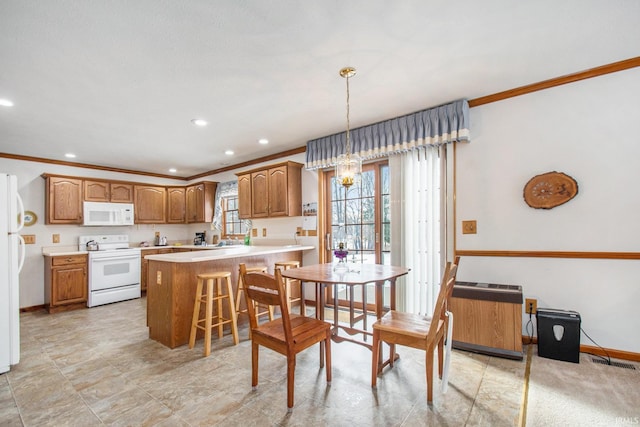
{"x": 11, "y": 260}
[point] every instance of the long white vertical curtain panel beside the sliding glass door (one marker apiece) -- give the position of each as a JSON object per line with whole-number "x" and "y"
{"x": 418, "y": 224}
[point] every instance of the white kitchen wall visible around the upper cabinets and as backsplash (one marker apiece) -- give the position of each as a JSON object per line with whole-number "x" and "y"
{"x": 31, "y": 187}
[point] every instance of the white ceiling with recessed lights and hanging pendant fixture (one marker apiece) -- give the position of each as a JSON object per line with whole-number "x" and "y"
{"x": 118, "y": 82}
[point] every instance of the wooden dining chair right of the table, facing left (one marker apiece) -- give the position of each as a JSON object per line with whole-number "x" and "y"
{"x": 414, "y": 330}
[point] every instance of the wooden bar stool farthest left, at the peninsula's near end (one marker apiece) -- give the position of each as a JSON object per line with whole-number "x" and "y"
{"x": 208, "y": 298}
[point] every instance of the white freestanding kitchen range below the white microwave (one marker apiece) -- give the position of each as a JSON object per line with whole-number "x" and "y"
{"x": 114, "y": 269}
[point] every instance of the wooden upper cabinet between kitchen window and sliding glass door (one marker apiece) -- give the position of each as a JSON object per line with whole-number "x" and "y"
{"x": 271, "y": 192}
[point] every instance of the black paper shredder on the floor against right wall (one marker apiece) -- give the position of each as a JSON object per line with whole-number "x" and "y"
{"x": 558, "y": 334}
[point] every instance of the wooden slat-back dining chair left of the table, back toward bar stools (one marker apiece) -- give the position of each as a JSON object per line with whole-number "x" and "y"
{"x": 288, "y": 335}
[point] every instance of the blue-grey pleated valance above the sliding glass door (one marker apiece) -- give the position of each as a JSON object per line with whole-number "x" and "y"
{"x": 434, "y": 126}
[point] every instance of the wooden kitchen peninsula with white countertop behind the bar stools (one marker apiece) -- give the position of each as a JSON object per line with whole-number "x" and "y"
{"x": 171, "y": 283}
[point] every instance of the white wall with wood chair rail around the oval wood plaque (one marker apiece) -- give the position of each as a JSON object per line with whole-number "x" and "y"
{"x": 588, "y": 131}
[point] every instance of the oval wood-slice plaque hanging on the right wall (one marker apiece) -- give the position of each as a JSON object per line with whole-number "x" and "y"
{"x": 549, "y": 190}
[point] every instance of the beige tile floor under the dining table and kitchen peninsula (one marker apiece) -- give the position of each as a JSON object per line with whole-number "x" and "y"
{"x": 98, "y": 367}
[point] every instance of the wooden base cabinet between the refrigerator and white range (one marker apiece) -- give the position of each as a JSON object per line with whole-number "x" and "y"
{"x": 66, "y": 282}
